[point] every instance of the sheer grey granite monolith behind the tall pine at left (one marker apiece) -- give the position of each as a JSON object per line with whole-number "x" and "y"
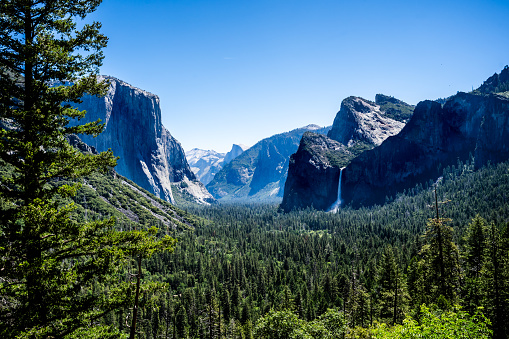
{"x": 149, "y": 155}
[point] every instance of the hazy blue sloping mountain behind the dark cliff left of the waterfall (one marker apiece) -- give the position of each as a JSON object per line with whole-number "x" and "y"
{"x": 259, "y": 173}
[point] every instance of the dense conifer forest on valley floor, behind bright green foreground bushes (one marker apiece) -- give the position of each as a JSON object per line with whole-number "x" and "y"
{"x": 373, "y": 265}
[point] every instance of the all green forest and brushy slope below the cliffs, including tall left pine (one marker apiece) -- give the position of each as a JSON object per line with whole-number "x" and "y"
{"x": 85, "y": 253}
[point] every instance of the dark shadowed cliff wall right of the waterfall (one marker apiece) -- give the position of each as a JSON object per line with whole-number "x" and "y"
{"x": 434, "y": 138}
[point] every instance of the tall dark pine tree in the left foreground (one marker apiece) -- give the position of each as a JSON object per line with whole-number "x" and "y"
{"x": 54, "y": 268}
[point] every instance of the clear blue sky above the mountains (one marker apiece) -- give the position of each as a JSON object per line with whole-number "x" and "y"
{"x": 237, "y": 71}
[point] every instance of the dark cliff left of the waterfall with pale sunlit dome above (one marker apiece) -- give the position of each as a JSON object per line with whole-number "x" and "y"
{"x": 359, "y": 125}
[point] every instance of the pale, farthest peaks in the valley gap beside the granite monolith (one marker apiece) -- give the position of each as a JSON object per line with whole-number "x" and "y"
{"x": 206, "y": 163}
